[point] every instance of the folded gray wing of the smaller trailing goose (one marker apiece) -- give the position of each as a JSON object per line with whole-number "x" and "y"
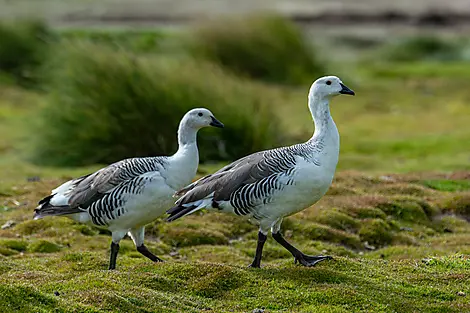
{"x": 95, "y": 185}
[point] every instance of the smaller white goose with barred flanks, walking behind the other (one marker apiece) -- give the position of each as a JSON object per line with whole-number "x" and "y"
{"x": 125, "y": 196}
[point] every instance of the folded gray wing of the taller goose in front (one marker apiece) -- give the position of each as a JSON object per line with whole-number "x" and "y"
{"x": 245, "y": 182}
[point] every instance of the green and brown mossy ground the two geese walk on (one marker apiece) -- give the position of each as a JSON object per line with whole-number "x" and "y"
{"x": 395, "y": 251}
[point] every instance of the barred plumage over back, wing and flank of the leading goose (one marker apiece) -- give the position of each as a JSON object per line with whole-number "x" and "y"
{"x": 250, "y": 181}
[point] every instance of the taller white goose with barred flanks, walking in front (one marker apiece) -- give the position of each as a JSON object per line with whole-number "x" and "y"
{"x": 269, "y": 185}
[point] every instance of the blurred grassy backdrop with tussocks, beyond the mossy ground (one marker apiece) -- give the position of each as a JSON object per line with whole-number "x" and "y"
{"x": 90, "y": 82}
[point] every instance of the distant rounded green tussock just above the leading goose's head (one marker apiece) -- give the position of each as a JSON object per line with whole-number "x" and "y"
{"x": 268, "y": 48}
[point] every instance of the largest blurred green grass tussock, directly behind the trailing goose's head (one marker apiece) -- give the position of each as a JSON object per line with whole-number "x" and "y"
{"x": 120, "y": 106}
